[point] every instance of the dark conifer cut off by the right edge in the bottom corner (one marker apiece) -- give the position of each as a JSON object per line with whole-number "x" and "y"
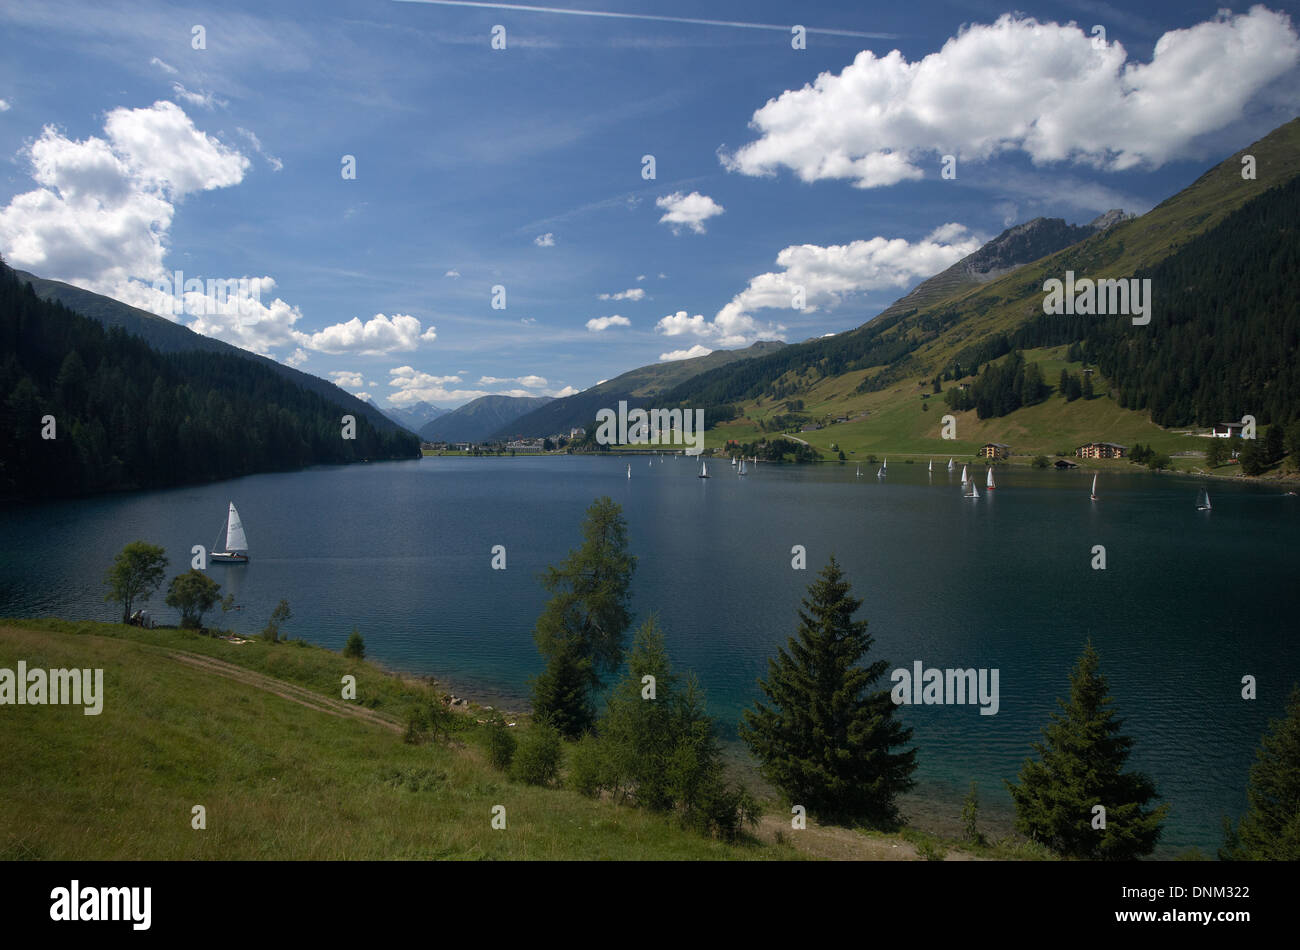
{"x": 1271, "y": 828}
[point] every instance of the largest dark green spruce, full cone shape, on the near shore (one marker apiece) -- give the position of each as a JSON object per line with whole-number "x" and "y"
{"x": 826, "y": 738}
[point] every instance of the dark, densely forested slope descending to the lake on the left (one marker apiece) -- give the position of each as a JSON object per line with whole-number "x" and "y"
{"x": 125, "y": 417}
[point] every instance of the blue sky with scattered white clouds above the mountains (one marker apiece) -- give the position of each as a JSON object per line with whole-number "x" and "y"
{"x": 131, "y": 155}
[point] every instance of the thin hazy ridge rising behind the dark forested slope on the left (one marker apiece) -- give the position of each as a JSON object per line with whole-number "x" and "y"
{"x": 167, "y": 337}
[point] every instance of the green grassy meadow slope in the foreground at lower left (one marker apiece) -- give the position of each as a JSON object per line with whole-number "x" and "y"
{"x": 279, "y": 780}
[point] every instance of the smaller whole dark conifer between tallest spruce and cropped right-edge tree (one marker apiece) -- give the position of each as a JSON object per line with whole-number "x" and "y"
{"x": 1081, "y": 766}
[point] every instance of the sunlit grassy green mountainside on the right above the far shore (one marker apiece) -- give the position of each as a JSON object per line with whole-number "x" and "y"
{"x": 886, "y": 366}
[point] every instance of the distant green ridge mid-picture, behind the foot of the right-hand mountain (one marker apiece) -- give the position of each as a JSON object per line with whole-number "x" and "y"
{"x": 638, "y": 387}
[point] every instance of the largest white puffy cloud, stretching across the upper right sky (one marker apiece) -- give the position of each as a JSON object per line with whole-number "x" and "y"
{"x": 1017, "y": 84}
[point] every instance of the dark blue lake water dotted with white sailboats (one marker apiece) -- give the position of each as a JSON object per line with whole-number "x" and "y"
{"x": 1189, "y": 605}
